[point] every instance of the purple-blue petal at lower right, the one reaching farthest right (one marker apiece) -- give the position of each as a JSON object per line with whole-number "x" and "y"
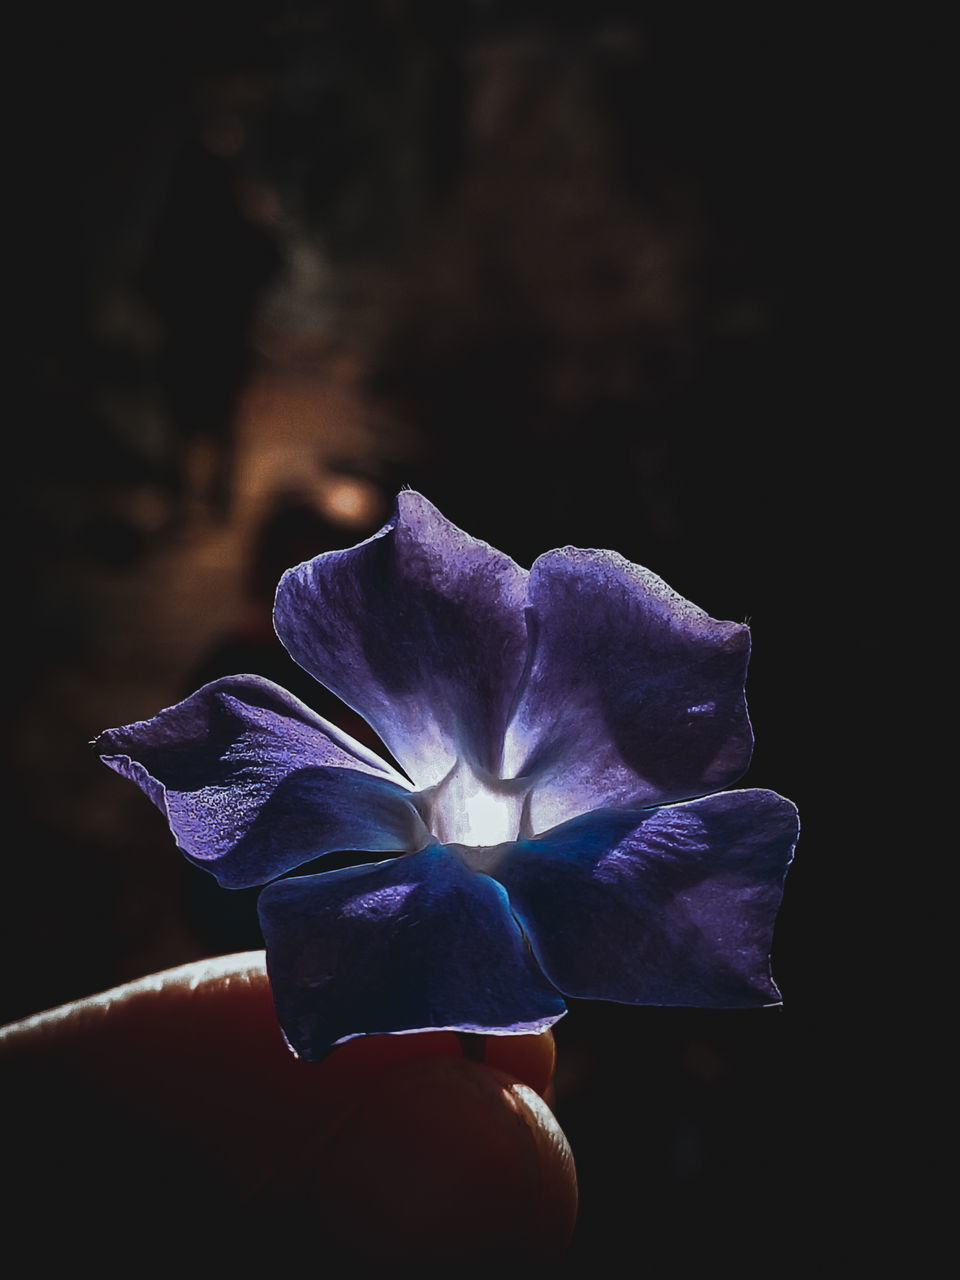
{"x": 671, "y": 907}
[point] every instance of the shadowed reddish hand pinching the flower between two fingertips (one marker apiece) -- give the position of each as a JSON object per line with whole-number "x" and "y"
{"x": 195, "y": 1058}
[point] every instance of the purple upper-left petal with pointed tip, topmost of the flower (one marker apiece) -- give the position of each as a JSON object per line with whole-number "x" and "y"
{"x": 420, "y": 629}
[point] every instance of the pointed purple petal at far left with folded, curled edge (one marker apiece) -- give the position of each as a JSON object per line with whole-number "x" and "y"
{"x": 255, "y": 784}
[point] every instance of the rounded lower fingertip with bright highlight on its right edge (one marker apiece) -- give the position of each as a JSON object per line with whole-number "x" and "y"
{"x": 447, "y": 1158}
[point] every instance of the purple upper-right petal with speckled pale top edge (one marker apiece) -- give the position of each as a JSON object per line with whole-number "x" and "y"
{"x": 634, "y": 697}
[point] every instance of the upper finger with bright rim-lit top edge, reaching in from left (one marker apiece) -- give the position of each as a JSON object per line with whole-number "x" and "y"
{"x": 199, "y": 1049}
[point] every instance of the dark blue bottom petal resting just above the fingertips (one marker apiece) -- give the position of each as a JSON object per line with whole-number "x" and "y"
{"x": 415, "y": 944}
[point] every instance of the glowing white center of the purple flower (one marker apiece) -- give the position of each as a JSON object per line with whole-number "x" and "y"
{"x": 474, "y": 810}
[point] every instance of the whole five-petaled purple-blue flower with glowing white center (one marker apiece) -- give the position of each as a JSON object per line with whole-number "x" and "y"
{"x": 555, "y": 729}
